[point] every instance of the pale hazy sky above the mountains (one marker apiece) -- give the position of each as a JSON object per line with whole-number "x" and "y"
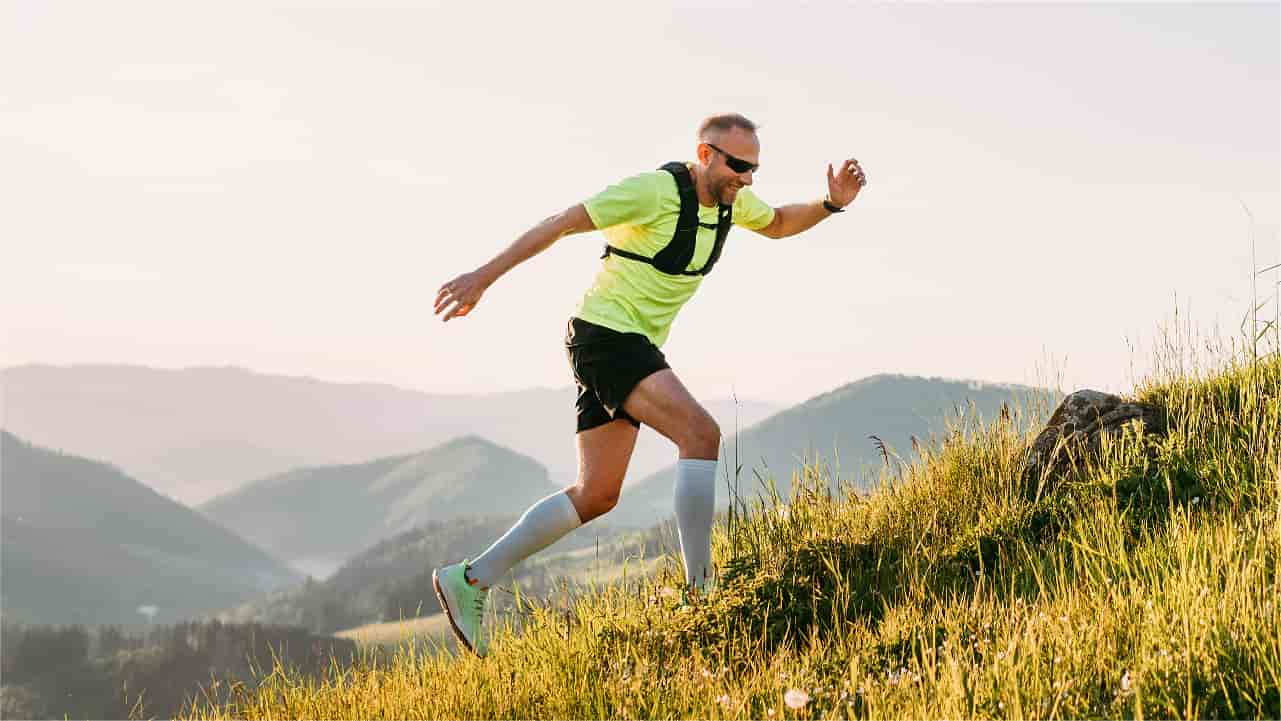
{"x": 285, "y": 189}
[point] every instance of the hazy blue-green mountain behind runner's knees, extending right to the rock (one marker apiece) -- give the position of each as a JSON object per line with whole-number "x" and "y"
{"x": 833, "y": 427}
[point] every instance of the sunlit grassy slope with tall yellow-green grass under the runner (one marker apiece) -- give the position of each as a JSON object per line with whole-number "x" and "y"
{"x": 1143, "y": 585}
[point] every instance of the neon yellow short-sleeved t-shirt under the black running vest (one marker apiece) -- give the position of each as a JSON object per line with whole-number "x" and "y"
{"x": 640, "y": 216}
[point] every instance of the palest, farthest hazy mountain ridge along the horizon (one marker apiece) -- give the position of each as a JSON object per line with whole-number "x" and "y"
{"x": 200, "y": 432}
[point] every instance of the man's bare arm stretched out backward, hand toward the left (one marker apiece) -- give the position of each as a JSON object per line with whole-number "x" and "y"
{"x": 464, "y": 293}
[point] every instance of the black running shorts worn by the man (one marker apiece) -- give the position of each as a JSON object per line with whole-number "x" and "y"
{"x": 608, "y": 366}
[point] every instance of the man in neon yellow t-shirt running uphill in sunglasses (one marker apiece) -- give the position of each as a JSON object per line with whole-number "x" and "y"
{"x": 665, "y": 231}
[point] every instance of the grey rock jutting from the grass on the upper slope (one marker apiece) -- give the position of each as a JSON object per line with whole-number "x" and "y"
{"x": 1074, "y": 433}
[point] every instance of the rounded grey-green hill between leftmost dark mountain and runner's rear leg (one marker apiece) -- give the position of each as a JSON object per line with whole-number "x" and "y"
{"x": 329, "y": 514}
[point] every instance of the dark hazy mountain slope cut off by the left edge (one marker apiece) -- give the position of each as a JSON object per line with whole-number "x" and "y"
{"x": 86, "y": 544}
